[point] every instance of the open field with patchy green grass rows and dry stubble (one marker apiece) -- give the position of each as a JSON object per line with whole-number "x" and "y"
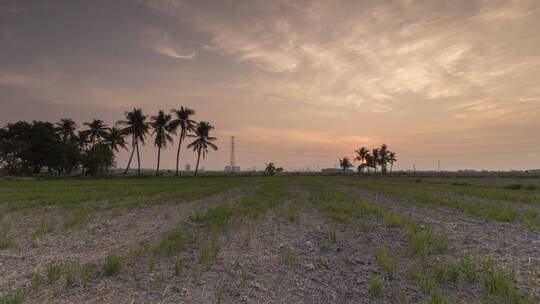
{"x": 280, "y": 239}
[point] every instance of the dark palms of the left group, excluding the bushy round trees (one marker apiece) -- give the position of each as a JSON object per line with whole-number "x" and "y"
{"x": 138, "y": 126}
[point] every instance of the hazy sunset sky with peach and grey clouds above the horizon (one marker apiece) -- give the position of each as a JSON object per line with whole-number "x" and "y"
{"x": 299, "y": 83}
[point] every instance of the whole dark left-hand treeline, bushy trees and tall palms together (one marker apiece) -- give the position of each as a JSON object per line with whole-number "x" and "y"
{"x": 62, "y": 148}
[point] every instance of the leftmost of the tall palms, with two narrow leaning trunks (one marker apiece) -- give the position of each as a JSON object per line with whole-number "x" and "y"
{"x": 136, "y": 126}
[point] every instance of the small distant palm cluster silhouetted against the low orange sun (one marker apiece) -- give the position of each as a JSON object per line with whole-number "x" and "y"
{"x": 371, "y": 159}
